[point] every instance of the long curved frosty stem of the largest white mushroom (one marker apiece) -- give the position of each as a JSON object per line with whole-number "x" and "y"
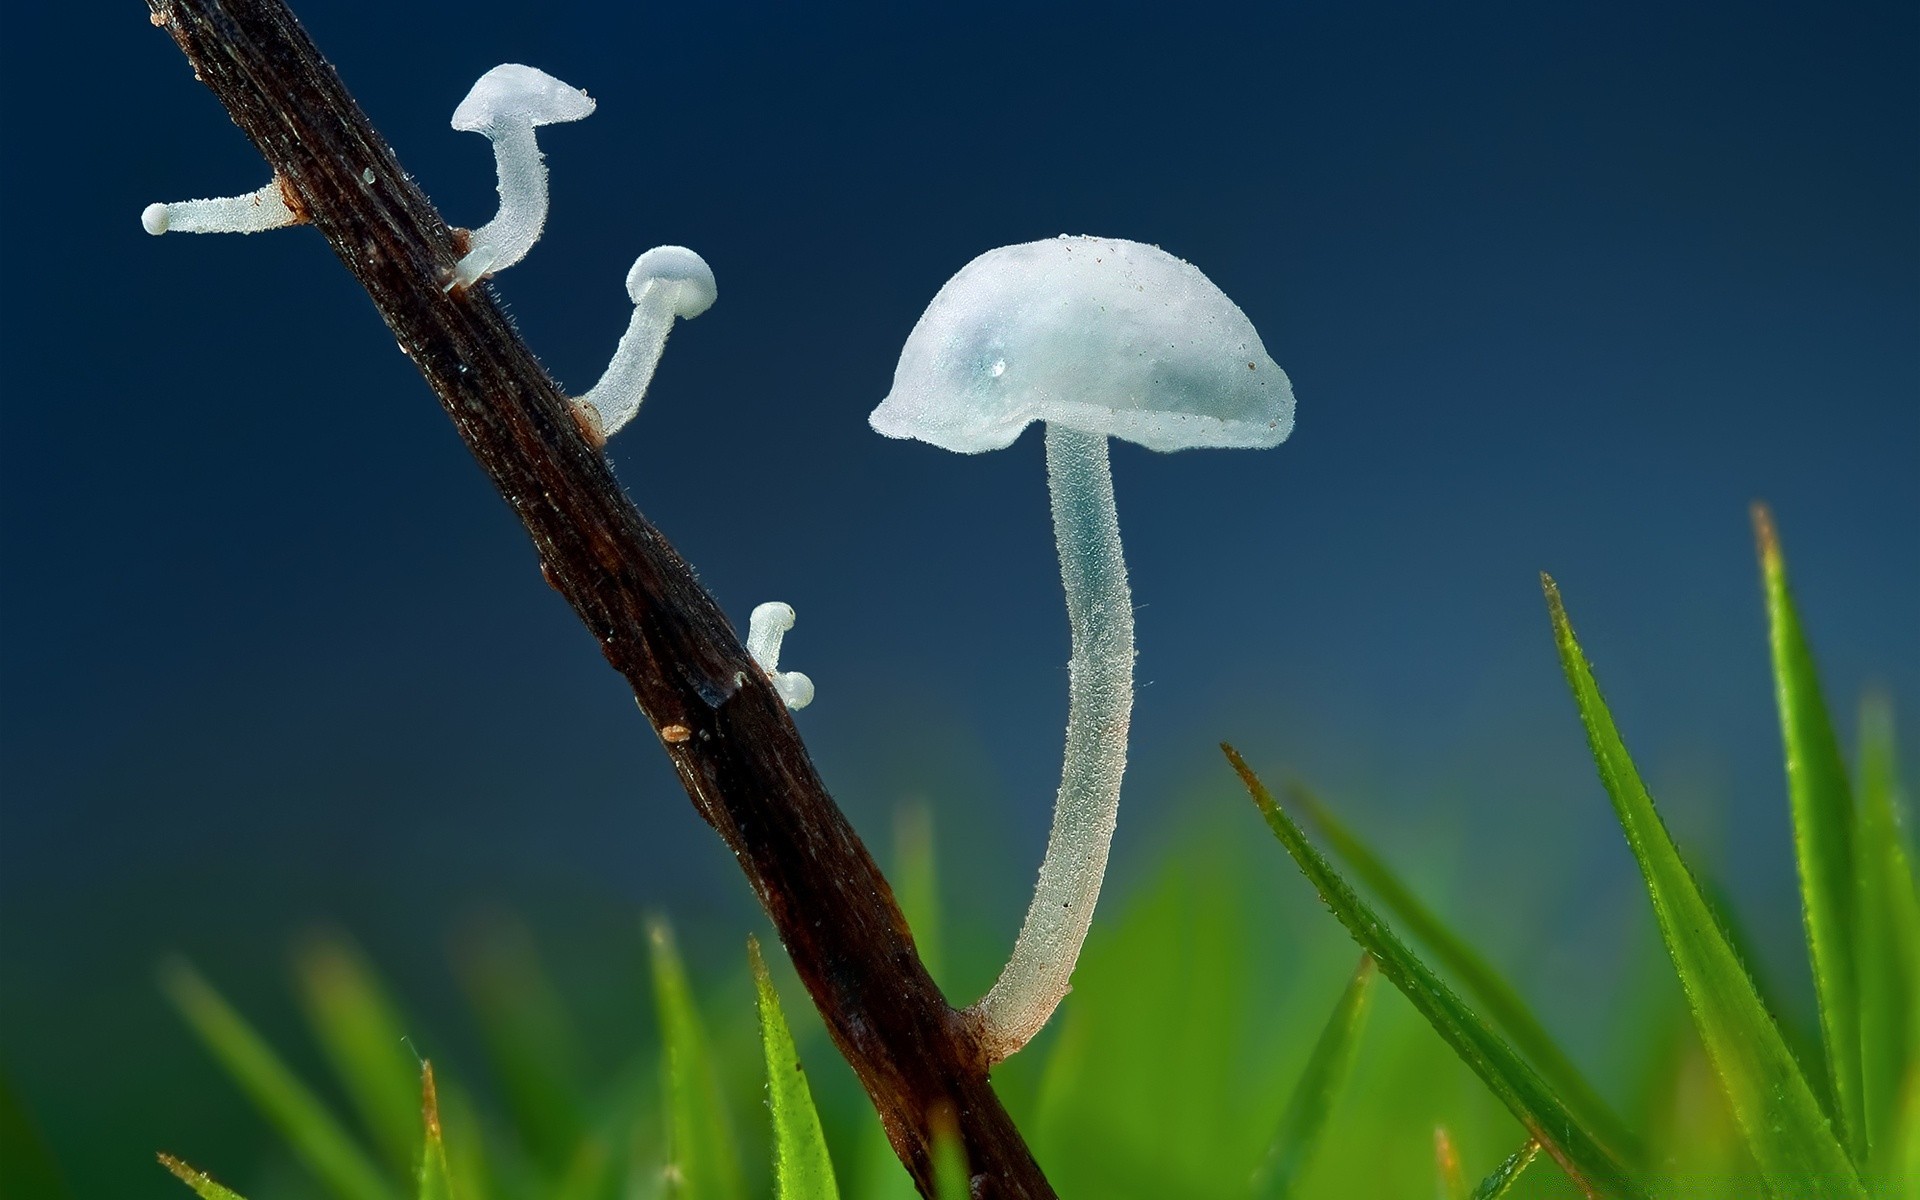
{"x": 1101, "y": 706}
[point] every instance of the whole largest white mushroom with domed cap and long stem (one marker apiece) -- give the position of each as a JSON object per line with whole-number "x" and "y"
{"x": 1099, "y": 339}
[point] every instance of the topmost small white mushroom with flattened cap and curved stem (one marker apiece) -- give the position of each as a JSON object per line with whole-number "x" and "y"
{"x": 508, "y": 105}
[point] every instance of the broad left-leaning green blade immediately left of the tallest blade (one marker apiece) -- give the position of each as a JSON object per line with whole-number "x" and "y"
{"x": 1785, "y": 1126}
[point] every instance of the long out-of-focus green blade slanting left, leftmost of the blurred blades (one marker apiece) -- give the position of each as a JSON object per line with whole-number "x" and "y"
{"x": 297, "y": 1113}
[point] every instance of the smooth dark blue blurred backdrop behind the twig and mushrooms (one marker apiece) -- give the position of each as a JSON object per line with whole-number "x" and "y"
{"x": 1560, "y": 287}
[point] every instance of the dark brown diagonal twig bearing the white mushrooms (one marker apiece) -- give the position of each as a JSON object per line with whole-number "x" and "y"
{"x": 723, "y": 727}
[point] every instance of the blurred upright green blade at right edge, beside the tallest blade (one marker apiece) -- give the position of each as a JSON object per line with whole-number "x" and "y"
{"x": 1886, "y": 936}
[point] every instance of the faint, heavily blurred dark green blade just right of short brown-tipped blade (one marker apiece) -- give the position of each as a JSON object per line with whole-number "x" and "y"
{"x": 529, "y": 1040}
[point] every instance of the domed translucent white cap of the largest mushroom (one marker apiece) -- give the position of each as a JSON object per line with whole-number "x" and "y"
{"x": 1099, "y": 335}
